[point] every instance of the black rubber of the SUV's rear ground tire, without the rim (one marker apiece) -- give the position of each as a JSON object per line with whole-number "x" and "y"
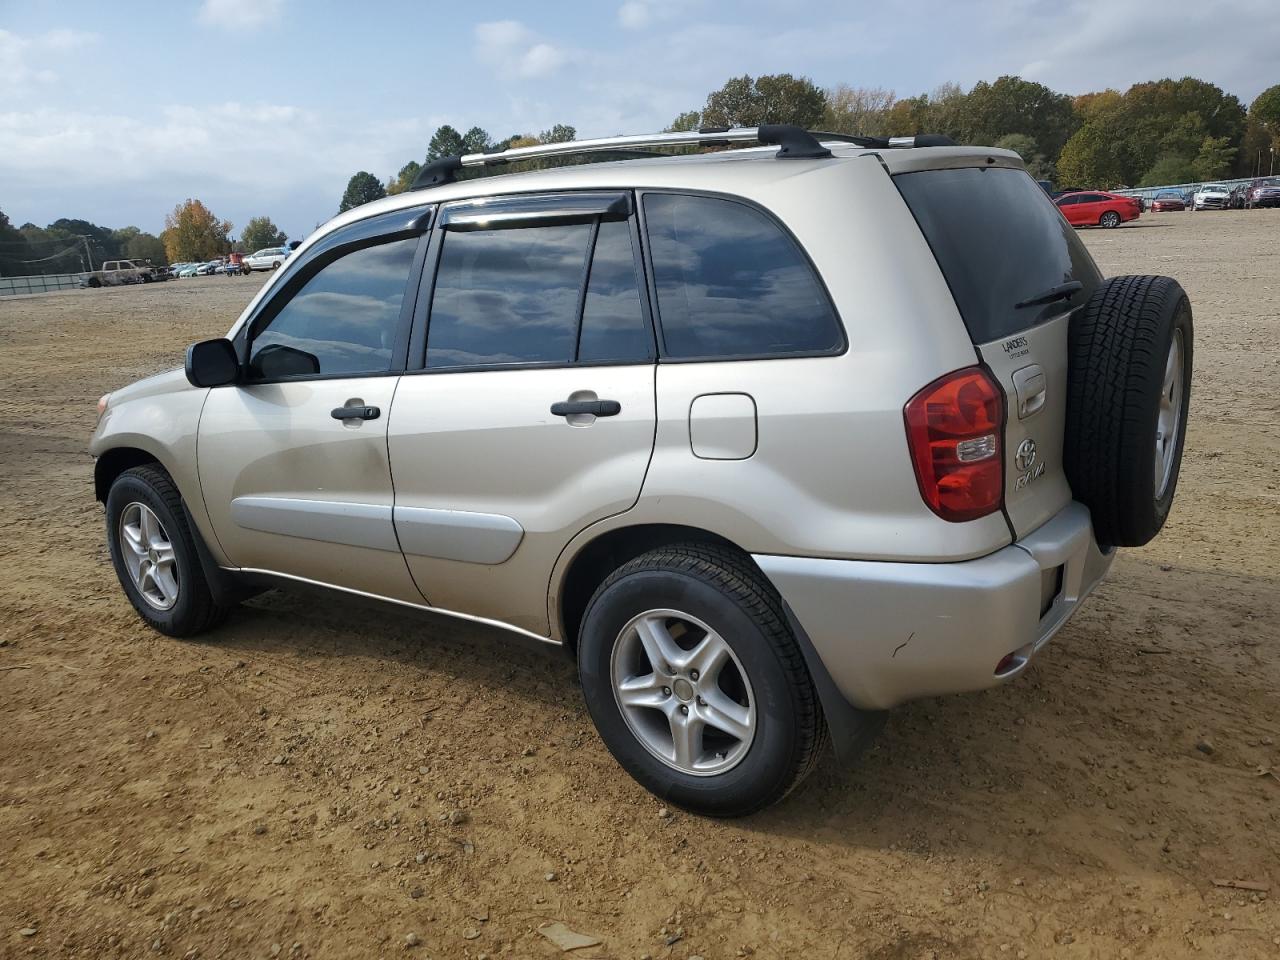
{"x": 725, "y": 592}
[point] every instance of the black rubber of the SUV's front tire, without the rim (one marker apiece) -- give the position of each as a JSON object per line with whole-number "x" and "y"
{"x": 195, "y": 610}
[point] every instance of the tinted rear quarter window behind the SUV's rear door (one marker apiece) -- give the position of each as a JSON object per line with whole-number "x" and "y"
{"x": 732, "y": 284}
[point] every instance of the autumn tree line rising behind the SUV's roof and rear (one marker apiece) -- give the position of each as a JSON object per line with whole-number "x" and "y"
{"x": 1158, "y": 132}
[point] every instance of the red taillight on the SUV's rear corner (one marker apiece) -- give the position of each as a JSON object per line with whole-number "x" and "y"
{"x": 956, "y": 429}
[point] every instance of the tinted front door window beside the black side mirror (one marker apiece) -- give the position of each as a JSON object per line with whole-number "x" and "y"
{"x": 344, "y": 321}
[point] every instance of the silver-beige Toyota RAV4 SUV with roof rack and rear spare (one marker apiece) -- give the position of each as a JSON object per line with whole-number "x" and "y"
{"x": 771, "y": 440}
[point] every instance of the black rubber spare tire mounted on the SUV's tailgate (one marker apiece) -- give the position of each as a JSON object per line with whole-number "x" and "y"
{"x": 1119, "y": 348}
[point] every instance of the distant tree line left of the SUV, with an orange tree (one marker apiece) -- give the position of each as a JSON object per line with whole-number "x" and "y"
{"x": 193, "y": 234}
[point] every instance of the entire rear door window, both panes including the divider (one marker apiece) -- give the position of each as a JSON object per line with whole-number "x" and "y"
{"x": 516, "y": 296}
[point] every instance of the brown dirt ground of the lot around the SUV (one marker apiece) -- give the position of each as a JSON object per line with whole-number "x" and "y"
{"x": 327, "y": 780}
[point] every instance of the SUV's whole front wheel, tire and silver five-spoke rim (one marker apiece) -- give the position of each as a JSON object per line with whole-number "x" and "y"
{"x": 154, "y": 554}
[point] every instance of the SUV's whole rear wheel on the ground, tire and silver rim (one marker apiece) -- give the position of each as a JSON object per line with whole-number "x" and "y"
{"x": 697, "y": 684}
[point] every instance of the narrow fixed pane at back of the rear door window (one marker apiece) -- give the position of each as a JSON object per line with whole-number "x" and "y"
{"x": 614, "y": 323}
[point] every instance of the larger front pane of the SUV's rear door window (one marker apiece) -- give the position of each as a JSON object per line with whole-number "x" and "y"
{"x": 508, "y": 296}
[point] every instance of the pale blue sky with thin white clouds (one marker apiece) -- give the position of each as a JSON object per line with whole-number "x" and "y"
{"x": 116, "y": 115}
